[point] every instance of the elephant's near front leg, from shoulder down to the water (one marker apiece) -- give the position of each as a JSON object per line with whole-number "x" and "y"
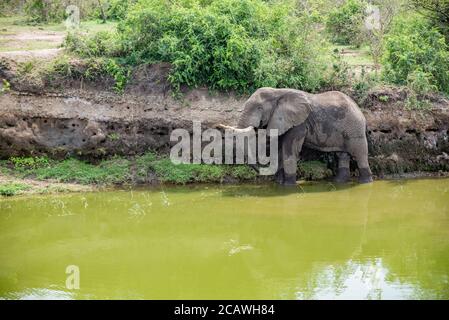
{"x": 291, "y": 147}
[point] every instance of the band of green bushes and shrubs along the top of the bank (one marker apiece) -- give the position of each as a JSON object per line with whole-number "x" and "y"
{"x": 240, "y": 45}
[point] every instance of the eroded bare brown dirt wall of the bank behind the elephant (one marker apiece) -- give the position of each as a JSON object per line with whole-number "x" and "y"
{"x": 86, "y": 120}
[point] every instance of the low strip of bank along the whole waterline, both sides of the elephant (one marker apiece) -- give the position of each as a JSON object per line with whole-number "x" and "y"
{"x": 40, "y": 175}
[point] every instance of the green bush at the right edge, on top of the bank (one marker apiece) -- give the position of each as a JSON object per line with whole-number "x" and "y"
{"x": 415, "y": 51}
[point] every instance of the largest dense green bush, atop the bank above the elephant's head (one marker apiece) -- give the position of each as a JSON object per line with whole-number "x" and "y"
{"x": 227, "y": 44}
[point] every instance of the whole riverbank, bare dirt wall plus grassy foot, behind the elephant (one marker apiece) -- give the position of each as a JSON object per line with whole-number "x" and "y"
{"x": 89, "y": 134}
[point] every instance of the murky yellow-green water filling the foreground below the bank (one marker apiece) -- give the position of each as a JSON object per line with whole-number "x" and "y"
{"x": 388, "y": 240}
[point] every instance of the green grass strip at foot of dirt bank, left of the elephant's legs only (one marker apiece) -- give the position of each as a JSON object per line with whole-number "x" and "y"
{"x": 119, "y": 170}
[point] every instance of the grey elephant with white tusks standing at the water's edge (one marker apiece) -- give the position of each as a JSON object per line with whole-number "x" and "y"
{"x": 328, "y": 122}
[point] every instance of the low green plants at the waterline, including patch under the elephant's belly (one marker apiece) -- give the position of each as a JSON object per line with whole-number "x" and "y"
{"x": 146, "y": 168}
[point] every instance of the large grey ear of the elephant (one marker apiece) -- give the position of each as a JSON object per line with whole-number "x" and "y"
{"x": 292, "y": 109}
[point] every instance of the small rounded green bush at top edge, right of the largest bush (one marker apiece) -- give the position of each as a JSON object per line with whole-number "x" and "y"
{"x": 345, "y": 22}
